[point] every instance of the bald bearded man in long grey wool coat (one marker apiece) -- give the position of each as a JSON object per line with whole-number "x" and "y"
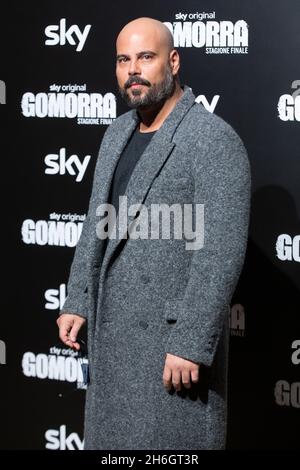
{"x": 157, "y": 311}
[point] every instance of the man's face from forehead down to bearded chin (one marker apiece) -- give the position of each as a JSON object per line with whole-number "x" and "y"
{"x": 143, "y": 70}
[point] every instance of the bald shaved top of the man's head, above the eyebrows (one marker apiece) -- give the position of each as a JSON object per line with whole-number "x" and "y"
{"x": 149, "y": 28}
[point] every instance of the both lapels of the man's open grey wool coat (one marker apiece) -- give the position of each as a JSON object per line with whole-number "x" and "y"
{"x": 147, "y": 167}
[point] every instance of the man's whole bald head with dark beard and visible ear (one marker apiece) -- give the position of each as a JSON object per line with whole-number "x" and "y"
{"x": 146, "y": 64}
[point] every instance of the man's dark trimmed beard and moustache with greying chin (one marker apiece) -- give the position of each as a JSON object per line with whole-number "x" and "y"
{"x": 156, "y": 94}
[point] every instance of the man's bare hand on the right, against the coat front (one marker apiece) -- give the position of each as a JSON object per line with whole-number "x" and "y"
{"x": 178, "y": 370}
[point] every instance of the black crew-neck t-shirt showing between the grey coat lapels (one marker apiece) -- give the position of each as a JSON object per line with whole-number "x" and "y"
{"x": 125, "y": 166}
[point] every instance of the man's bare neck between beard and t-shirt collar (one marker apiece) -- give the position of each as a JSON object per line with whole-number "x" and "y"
{"x": 152, "y": 119}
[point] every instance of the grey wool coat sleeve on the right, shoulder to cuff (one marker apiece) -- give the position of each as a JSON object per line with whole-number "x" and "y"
{"x": 222, "y": 184}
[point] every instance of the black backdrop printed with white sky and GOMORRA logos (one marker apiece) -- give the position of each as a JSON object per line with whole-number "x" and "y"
{"x": 58, "y": 94}
